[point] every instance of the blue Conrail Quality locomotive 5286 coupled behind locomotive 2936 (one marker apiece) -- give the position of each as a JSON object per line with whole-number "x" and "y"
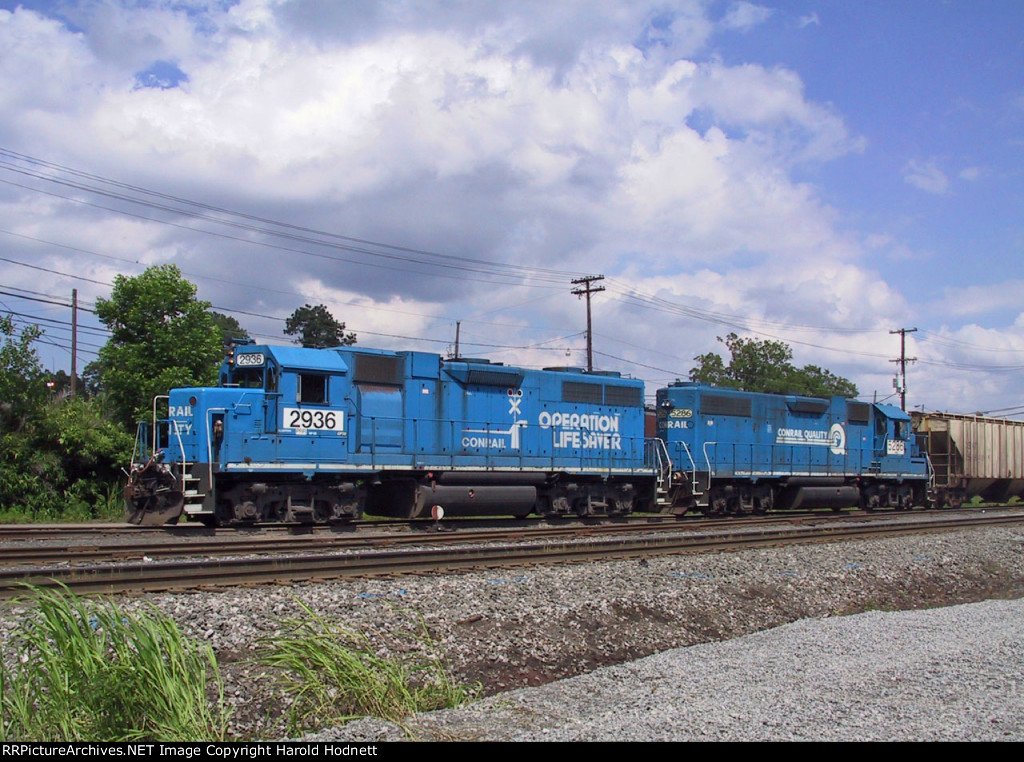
{"x": 737, "y": 452}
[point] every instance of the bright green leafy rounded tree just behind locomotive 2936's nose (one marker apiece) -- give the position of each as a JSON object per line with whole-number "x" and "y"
{"x": 161, "y": 337}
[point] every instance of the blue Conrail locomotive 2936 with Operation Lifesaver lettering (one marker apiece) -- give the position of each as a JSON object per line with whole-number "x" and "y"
{"x": 318, "y": 436}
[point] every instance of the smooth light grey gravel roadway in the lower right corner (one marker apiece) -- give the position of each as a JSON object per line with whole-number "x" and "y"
{"x": 949, "y": 674}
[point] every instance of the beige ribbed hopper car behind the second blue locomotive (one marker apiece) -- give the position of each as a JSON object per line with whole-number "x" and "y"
{"x": 972, "y": 456}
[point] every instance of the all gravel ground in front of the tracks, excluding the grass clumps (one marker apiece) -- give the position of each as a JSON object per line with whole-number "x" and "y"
{"x": 955, "y": 672}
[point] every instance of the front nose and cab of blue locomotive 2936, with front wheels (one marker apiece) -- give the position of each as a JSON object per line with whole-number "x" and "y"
{"x": 218, "y": 455}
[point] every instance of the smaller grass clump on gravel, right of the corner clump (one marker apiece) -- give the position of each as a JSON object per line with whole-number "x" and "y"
{"x": 333, "y": 674}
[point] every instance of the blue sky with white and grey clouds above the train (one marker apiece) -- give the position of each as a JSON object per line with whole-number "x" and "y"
{"x": 817, "y": 173}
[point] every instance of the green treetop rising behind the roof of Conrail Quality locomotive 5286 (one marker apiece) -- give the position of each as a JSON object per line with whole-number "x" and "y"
{"x": 765, "y": 366}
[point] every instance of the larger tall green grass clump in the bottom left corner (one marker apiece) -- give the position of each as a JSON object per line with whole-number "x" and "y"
{"x": 80, "y": 670}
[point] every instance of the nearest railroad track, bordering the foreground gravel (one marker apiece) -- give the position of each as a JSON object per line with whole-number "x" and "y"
{"x": 470, "y": 552}
